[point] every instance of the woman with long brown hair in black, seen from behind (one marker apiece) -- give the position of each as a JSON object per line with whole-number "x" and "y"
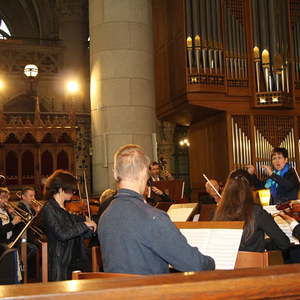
{"x": 238, "y": 205}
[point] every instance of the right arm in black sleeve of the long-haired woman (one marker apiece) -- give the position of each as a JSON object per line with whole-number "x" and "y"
{"x": 269, "y": 226}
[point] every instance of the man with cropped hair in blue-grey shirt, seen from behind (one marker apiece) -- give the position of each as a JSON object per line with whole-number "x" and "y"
{"x": 136, "y": 237}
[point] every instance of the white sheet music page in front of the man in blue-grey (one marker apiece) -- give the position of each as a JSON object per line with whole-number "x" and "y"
{"x": 221, "y": 244}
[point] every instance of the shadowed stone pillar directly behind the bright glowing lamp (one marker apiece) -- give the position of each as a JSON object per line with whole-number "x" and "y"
{"x": 73, "y": 31}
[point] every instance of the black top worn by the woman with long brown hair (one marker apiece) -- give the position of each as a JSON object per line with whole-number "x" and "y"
{"x": 263, "y": 224}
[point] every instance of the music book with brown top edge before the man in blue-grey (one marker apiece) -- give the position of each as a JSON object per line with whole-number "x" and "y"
{"x": 220, "y": 240}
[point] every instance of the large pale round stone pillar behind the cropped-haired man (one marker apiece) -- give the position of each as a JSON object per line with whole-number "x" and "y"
{"x": 122, "y": 81}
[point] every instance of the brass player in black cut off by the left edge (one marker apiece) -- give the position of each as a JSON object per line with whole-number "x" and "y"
{"x": 7, "y": 220}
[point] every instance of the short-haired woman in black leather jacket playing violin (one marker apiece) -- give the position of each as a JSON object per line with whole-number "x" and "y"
{"x": 65, "y": 231}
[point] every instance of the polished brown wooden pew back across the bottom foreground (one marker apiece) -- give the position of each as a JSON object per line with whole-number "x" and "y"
{"x": 278, "y": 282}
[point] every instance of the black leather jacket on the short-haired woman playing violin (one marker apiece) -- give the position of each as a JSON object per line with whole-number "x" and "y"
{"x": 65, "y": 234}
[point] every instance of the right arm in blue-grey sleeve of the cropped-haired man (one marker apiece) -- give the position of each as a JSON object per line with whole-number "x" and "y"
{"x": 168, "y": 242}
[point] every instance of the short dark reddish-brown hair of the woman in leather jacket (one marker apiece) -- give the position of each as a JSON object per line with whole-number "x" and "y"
{"x": 59, "y": 179}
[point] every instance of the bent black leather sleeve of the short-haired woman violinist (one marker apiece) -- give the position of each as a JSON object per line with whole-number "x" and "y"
{"x": 62, "y": 231}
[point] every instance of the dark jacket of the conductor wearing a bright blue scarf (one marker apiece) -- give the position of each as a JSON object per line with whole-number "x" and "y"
{"x": 287, "y": 189}
